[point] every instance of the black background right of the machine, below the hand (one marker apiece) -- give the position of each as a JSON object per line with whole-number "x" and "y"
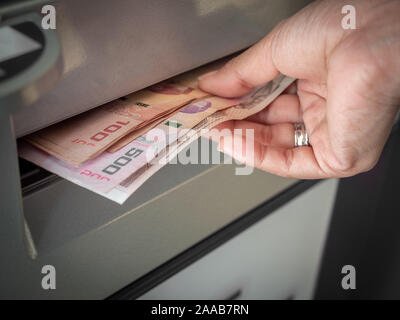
{"x": 365, "y": 232}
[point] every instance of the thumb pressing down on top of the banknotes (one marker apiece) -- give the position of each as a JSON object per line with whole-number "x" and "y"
{"x": 295, "y": 47}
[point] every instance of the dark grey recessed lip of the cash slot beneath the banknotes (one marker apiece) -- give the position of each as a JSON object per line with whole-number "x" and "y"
{"x": 74, "y": 211}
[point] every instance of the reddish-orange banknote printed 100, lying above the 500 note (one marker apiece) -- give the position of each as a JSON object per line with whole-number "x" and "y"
{"x": 85, "y": 136}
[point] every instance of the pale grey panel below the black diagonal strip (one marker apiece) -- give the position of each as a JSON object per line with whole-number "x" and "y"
{"x": 258, "y": 267}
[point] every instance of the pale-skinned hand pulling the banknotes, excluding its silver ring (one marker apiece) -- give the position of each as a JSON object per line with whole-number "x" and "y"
{"x": 347, "y": 95}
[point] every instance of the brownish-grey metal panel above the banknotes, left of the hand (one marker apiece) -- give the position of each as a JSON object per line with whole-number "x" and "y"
{"x": 114, "y": 48}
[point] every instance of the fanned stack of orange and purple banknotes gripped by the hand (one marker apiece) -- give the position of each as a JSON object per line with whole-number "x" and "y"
{"x": 114, "y": 148}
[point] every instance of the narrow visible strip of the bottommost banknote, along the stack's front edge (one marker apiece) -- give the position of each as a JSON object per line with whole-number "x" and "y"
{"x": 251, "y": 104}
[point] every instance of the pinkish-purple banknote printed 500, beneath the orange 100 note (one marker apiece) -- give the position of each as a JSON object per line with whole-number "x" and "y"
{"x": 107, "y": 170}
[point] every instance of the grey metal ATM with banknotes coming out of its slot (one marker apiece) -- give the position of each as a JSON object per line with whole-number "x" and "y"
{"x": 191, "y": 231}
